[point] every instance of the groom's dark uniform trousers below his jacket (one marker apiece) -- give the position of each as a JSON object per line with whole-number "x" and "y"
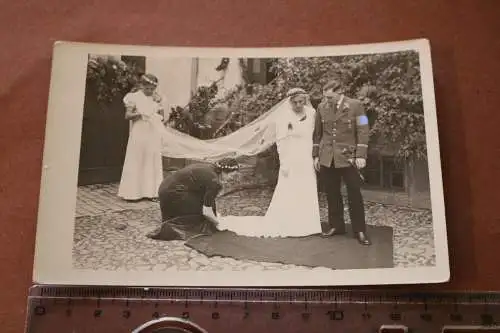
{"x": 331, "y": 178}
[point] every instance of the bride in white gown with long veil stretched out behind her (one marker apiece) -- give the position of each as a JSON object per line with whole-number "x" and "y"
{"x": 294, "y": 207}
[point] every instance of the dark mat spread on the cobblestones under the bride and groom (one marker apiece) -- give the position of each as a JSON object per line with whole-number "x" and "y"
{"x": 337, "y": 252}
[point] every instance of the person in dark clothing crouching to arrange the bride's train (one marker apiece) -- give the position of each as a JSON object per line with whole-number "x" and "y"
{"x": 187, "y": 200}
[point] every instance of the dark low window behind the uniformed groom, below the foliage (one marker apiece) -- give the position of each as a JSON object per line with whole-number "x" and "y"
{"x": 384, "y": 172}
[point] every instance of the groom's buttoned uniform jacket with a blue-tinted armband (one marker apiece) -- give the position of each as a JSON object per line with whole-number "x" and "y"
{"x": 341, "y": 132}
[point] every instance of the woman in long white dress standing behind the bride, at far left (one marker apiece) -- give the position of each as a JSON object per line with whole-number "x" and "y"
{"x": 142, "y": 169}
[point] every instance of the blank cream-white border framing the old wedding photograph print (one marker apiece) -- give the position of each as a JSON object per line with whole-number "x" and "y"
{"x": 58, "y": 192}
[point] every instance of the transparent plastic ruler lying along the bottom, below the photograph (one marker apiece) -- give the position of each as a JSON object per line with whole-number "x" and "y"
{"x": 219, "y": 310}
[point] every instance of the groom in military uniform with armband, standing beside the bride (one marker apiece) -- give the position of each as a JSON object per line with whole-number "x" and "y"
{"x": 340, "y": 149}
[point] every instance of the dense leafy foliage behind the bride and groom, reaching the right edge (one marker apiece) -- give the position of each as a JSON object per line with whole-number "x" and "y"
{"x": 388, "y": 85}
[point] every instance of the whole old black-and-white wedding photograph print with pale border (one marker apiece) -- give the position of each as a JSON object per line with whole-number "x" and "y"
{"x": 242, "y": 167}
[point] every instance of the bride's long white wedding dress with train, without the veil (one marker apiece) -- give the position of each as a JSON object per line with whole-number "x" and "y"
{"x": 294, "y": 208}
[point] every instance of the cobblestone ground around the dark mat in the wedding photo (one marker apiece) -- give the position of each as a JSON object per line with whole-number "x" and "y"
{"x": 111, "y": 234}
